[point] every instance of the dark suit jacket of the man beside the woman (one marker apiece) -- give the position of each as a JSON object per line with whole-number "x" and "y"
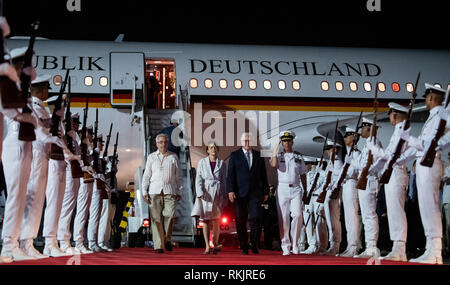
{"x": 247, "y": 183}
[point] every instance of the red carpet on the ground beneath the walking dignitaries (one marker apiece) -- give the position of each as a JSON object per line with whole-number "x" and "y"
{"x": 194, "y": 256}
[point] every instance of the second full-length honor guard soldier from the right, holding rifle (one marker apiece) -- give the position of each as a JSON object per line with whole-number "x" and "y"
{"x": 395, "y": 190}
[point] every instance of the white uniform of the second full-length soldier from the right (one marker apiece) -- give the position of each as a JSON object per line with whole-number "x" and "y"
{"x": 395, "y": 192}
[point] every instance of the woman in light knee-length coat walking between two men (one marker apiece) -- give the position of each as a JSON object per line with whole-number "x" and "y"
{"x": 211, "y": 194}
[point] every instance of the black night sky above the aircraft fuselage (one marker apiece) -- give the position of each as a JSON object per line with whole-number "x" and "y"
{"x": 400, "y": 24}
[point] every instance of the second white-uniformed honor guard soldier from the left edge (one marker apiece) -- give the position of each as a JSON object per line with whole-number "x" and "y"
{"x": 37, "y": 183}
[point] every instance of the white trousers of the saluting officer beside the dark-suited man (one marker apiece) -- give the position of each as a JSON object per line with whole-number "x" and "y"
{"x": 289, "y": 205}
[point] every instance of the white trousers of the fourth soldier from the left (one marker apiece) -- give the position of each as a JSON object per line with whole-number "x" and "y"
{"x": 68, "y": 206}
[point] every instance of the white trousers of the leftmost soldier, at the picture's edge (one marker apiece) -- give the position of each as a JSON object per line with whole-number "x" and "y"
{"x": 16, "y": 166}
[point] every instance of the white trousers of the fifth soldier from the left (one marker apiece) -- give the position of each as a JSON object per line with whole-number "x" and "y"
{"x": 83, "y": 204}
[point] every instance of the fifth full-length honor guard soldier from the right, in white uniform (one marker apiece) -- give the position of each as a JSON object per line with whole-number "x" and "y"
{"x": 332, "y": 207}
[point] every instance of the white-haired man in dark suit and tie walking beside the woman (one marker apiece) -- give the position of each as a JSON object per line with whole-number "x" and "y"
{"x": 247, "y": 188}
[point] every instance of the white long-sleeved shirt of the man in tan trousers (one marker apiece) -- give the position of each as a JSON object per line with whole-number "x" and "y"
{"x": 163, "y": 174}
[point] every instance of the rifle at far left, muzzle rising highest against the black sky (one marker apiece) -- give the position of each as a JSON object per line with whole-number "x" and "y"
{"x": 26, "y": 130}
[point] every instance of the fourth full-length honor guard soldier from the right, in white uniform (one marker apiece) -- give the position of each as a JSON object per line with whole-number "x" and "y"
{"x": 350, "y": 199}
